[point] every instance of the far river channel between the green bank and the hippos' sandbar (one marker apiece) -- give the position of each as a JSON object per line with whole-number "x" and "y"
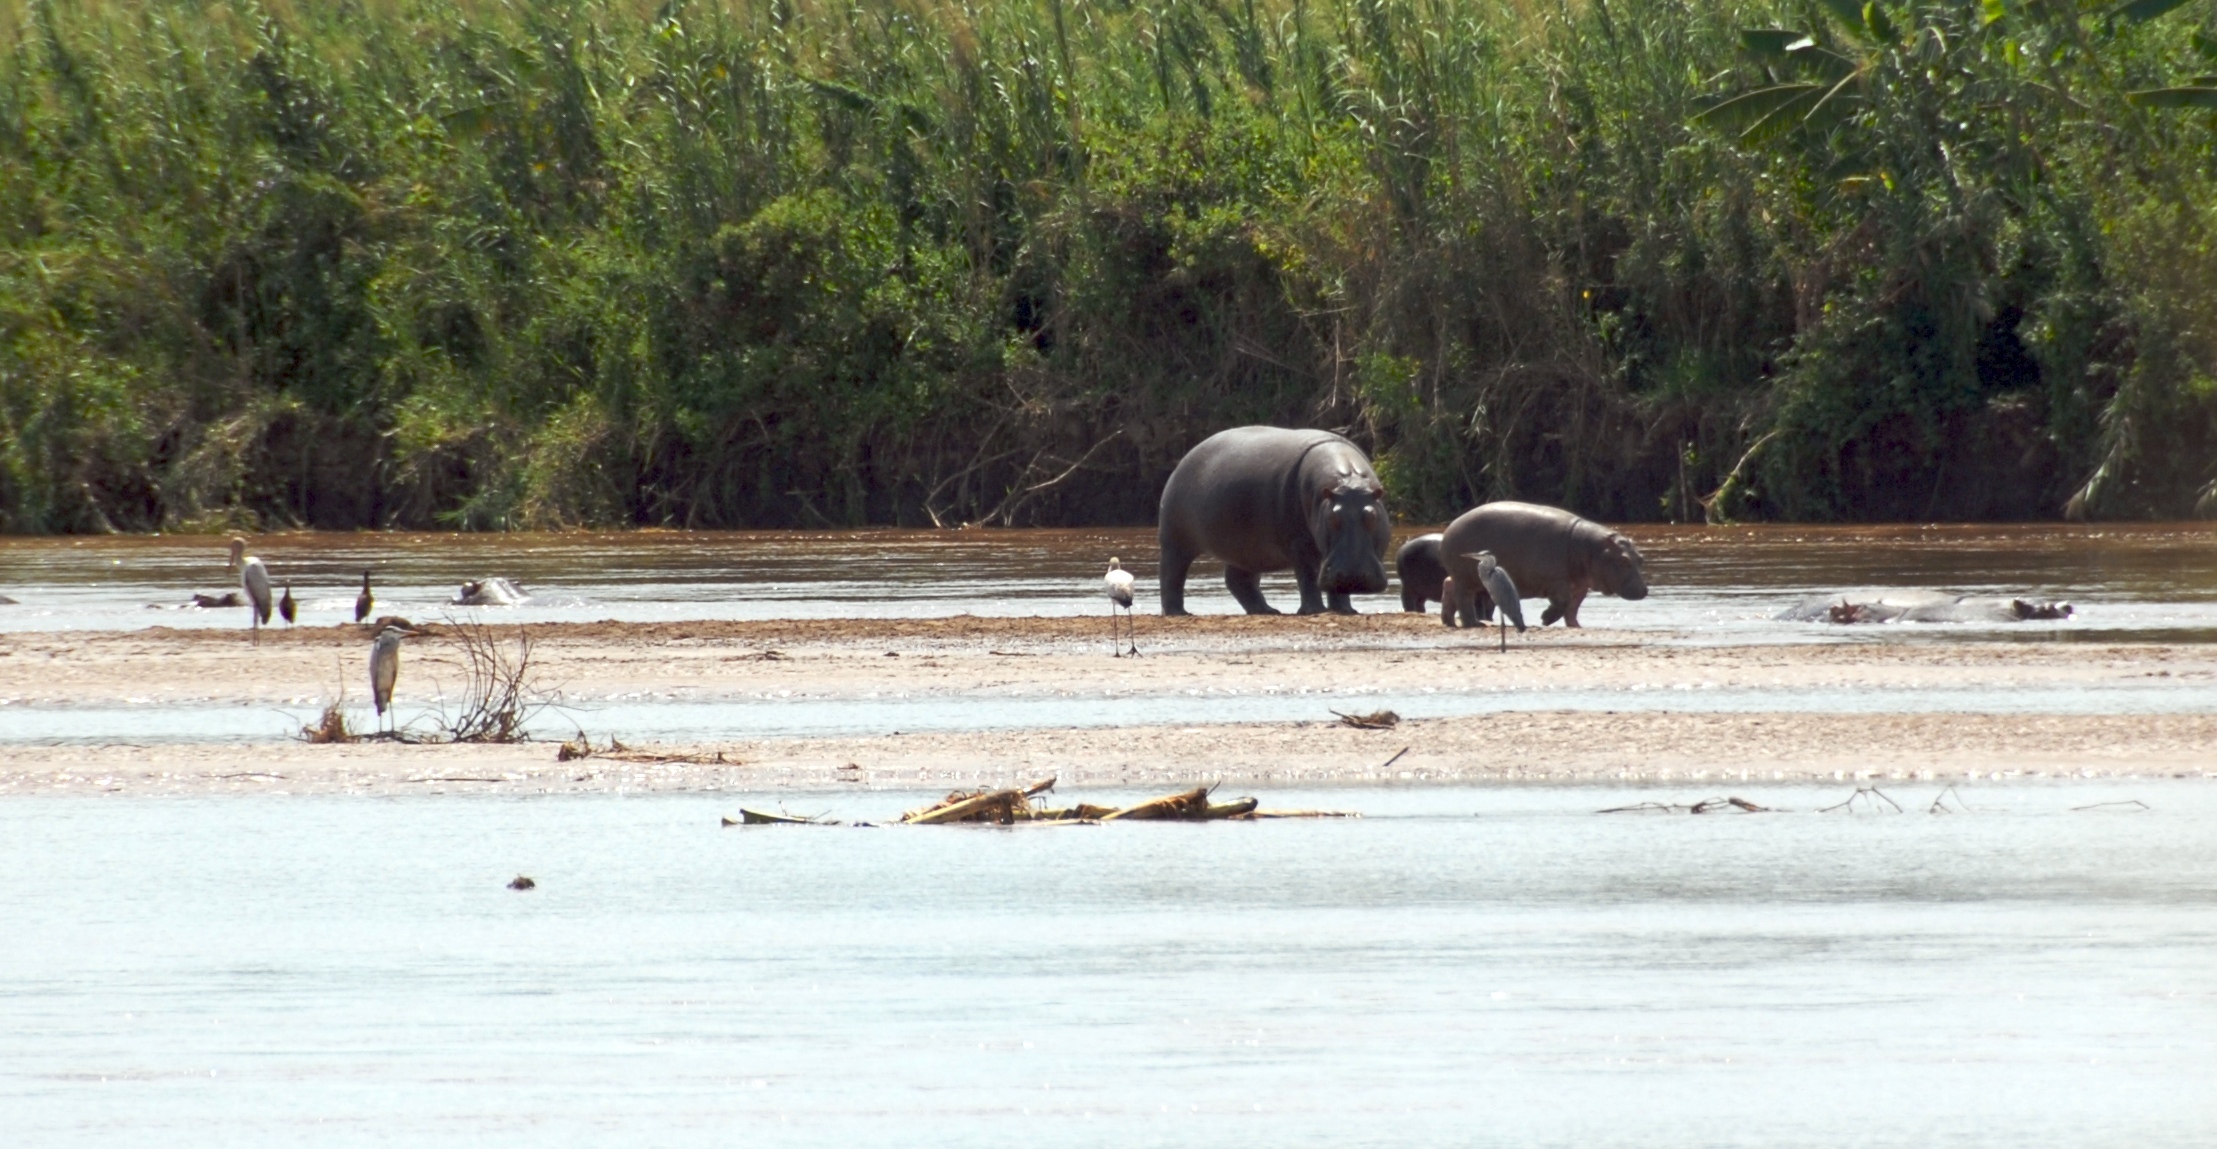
{"x": 1713, "y": 584}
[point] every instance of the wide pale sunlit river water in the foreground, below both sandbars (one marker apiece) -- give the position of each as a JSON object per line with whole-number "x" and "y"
{"x": 1460, "y": 968}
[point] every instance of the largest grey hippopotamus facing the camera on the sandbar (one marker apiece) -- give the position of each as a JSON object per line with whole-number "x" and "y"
{"x": 1265, "y": 498}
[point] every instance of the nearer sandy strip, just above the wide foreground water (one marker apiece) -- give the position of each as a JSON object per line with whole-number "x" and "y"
{"x": 1504, "y": 749}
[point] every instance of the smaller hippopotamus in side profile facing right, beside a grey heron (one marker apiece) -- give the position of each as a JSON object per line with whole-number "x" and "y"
{"x": 1549, "y": 551}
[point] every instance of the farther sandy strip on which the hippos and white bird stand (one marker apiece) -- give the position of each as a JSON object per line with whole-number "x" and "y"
{"x": 702, "y": 662}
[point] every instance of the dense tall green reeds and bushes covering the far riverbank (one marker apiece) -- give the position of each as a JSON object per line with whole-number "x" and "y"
{"x": 793, "y": 263}
